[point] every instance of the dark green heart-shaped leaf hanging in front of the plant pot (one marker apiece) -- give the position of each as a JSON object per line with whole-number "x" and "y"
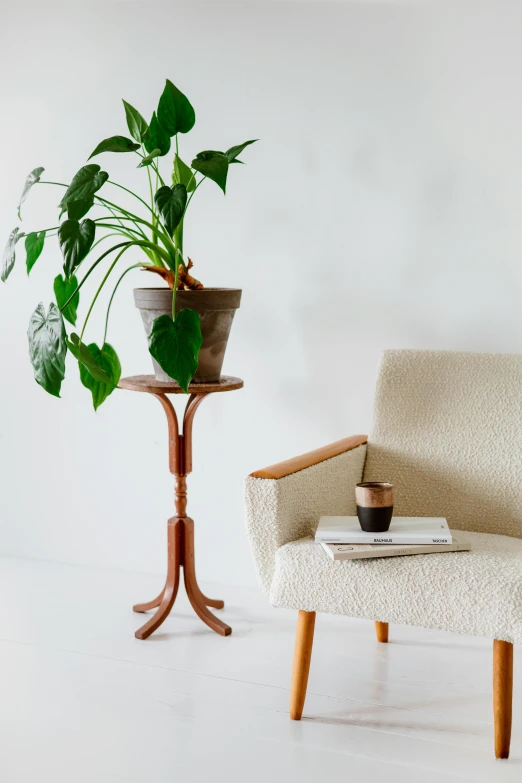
{"x": 175, "y": 345}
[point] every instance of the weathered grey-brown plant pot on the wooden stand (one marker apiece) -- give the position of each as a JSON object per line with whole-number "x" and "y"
{"x": 216, "y": 308}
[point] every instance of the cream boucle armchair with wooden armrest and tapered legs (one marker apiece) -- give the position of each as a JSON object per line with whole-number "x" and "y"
{"x": 448, "y": 434}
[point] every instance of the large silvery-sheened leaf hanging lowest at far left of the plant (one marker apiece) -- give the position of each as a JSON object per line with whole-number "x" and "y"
{"x": 47, "y": 347}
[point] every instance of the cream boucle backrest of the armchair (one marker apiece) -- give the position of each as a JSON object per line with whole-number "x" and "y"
{"x": 448, "y": 433}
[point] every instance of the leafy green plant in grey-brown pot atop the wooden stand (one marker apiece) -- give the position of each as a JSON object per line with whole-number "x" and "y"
{"x": 187, "y": 325}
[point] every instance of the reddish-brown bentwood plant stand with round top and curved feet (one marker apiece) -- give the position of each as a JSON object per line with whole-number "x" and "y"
{"x": 180, "y": 528}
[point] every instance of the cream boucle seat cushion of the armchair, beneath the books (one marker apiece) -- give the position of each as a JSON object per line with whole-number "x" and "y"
{"x": 477, "y": 592}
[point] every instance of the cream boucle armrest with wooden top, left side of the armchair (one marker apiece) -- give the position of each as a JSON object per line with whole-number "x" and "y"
{"x": 284, "y": 502}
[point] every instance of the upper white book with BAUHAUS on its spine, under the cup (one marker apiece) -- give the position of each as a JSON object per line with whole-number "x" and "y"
{"x": 403, "y": 530}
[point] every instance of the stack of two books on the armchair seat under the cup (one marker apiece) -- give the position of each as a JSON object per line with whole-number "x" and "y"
{"x": 343, "y": 539}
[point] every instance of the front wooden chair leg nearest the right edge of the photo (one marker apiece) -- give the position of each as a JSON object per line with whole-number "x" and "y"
{"x": 502, "y": 696}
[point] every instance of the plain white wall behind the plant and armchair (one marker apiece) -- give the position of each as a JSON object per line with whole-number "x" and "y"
{"x": 381, "y": 209}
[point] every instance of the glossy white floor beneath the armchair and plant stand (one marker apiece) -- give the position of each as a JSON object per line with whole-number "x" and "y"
{"x": 82, "y": 701}
